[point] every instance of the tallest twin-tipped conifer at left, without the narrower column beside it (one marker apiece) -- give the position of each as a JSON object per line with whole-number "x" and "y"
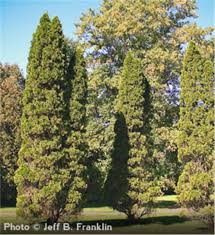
{"x": 41, "y": 176}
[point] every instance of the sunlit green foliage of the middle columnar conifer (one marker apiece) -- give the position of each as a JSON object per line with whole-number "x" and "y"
{"x": 133, "y": 102}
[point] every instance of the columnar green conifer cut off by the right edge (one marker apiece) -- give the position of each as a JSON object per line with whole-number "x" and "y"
{"x": 195, "y": 141}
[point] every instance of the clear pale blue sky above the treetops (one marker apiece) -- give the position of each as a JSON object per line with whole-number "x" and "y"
{"x": 19, "y": 19}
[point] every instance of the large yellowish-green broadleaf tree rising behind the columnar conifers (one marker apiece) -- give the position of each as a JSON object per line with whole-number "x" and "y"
{"x": 107, "y": 35}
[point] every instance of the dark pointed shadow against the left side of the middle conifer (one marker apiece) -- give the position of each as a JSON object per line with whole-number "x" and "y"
{"x": 117, "y": 180}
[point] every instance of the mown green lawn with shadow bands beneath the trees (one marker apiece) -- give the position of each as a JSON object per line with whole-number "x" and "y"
{"x": 167, "y": 218}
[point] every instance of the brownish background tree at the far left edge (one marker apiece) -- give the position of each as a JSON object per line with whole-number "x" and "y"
{"x": 11, "y": 87}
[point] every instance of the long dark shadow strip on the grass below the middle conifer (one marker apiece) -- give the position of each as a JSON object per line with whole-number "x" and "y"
{"x": 165, "y": 220}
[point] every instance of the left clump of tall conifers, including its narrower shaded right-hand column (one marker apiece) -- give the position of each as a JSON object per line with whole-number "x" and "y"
{"x": 51, "y": 175}
